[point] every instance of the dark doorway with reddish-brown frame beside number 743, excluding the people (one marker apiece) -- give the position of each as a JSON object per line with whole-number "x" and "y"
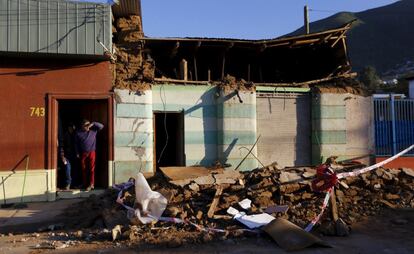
{"x": 65, "y": 110}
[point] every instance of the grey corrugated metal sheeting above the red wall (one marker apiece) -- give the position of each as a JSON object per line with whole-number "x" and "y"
{"x": 54, "y": 27}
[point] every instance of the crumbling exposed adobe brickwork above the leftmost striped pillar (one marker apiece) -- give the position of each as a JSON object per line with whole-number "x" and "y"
{"x": 133, "y": 71}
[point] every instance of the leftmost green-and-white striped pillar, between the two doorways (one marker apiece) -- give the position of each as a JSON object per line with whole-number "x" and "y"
{"x": 133, "y": 135}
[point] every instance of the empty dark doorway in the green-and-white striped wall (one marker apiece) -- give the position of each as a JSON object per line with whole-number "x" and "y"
{"x": 169, "y": 139}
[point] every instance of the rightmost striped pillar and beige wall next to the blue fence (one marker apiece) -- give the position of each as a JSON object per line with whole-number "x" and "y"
{"x": 341, "y": 126}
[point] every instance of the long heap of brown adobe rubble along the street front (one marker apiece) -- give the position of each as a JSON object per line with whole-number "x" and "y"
{"x": 268, "y": 187}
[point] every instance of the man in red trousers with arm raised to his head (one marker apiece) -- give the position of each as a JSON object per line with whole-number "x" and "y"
{"x": 85, "y": 140}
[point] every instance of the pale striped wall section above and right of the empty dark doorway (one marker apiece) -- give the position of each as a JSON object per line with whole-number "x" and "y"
{"x": 200, "y": 124}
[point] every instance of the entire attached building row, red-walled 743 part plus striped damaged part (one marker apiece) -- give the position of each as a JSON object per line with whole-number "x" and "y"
{"x": 168, "y": 101}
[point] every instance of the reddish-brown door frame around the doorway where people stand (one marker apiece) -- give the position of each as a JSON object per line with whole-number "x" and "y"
{"x": 52, "y": 125}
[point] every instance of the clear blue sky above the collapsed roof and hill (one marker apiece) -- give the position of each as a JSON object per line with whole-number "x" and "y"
{"x": 242, "y": 19}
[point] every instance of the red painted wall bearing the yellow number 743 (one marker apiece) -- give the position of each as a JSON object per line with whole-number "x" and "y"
{"x": 24, "y": 84}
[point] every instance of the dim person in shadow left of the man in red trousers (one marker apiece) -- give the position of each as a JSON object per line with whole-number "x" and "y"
{"x": 67, "y": 153}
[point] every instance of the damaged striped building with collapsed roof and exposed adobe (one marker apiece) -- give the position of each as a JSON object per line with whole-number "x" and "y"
{"x": 203, "y": 101}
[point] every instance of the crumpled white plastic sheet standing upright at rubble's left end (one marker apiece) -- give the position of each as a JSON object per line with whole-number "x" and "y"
{"x": 152, "y": 203}
